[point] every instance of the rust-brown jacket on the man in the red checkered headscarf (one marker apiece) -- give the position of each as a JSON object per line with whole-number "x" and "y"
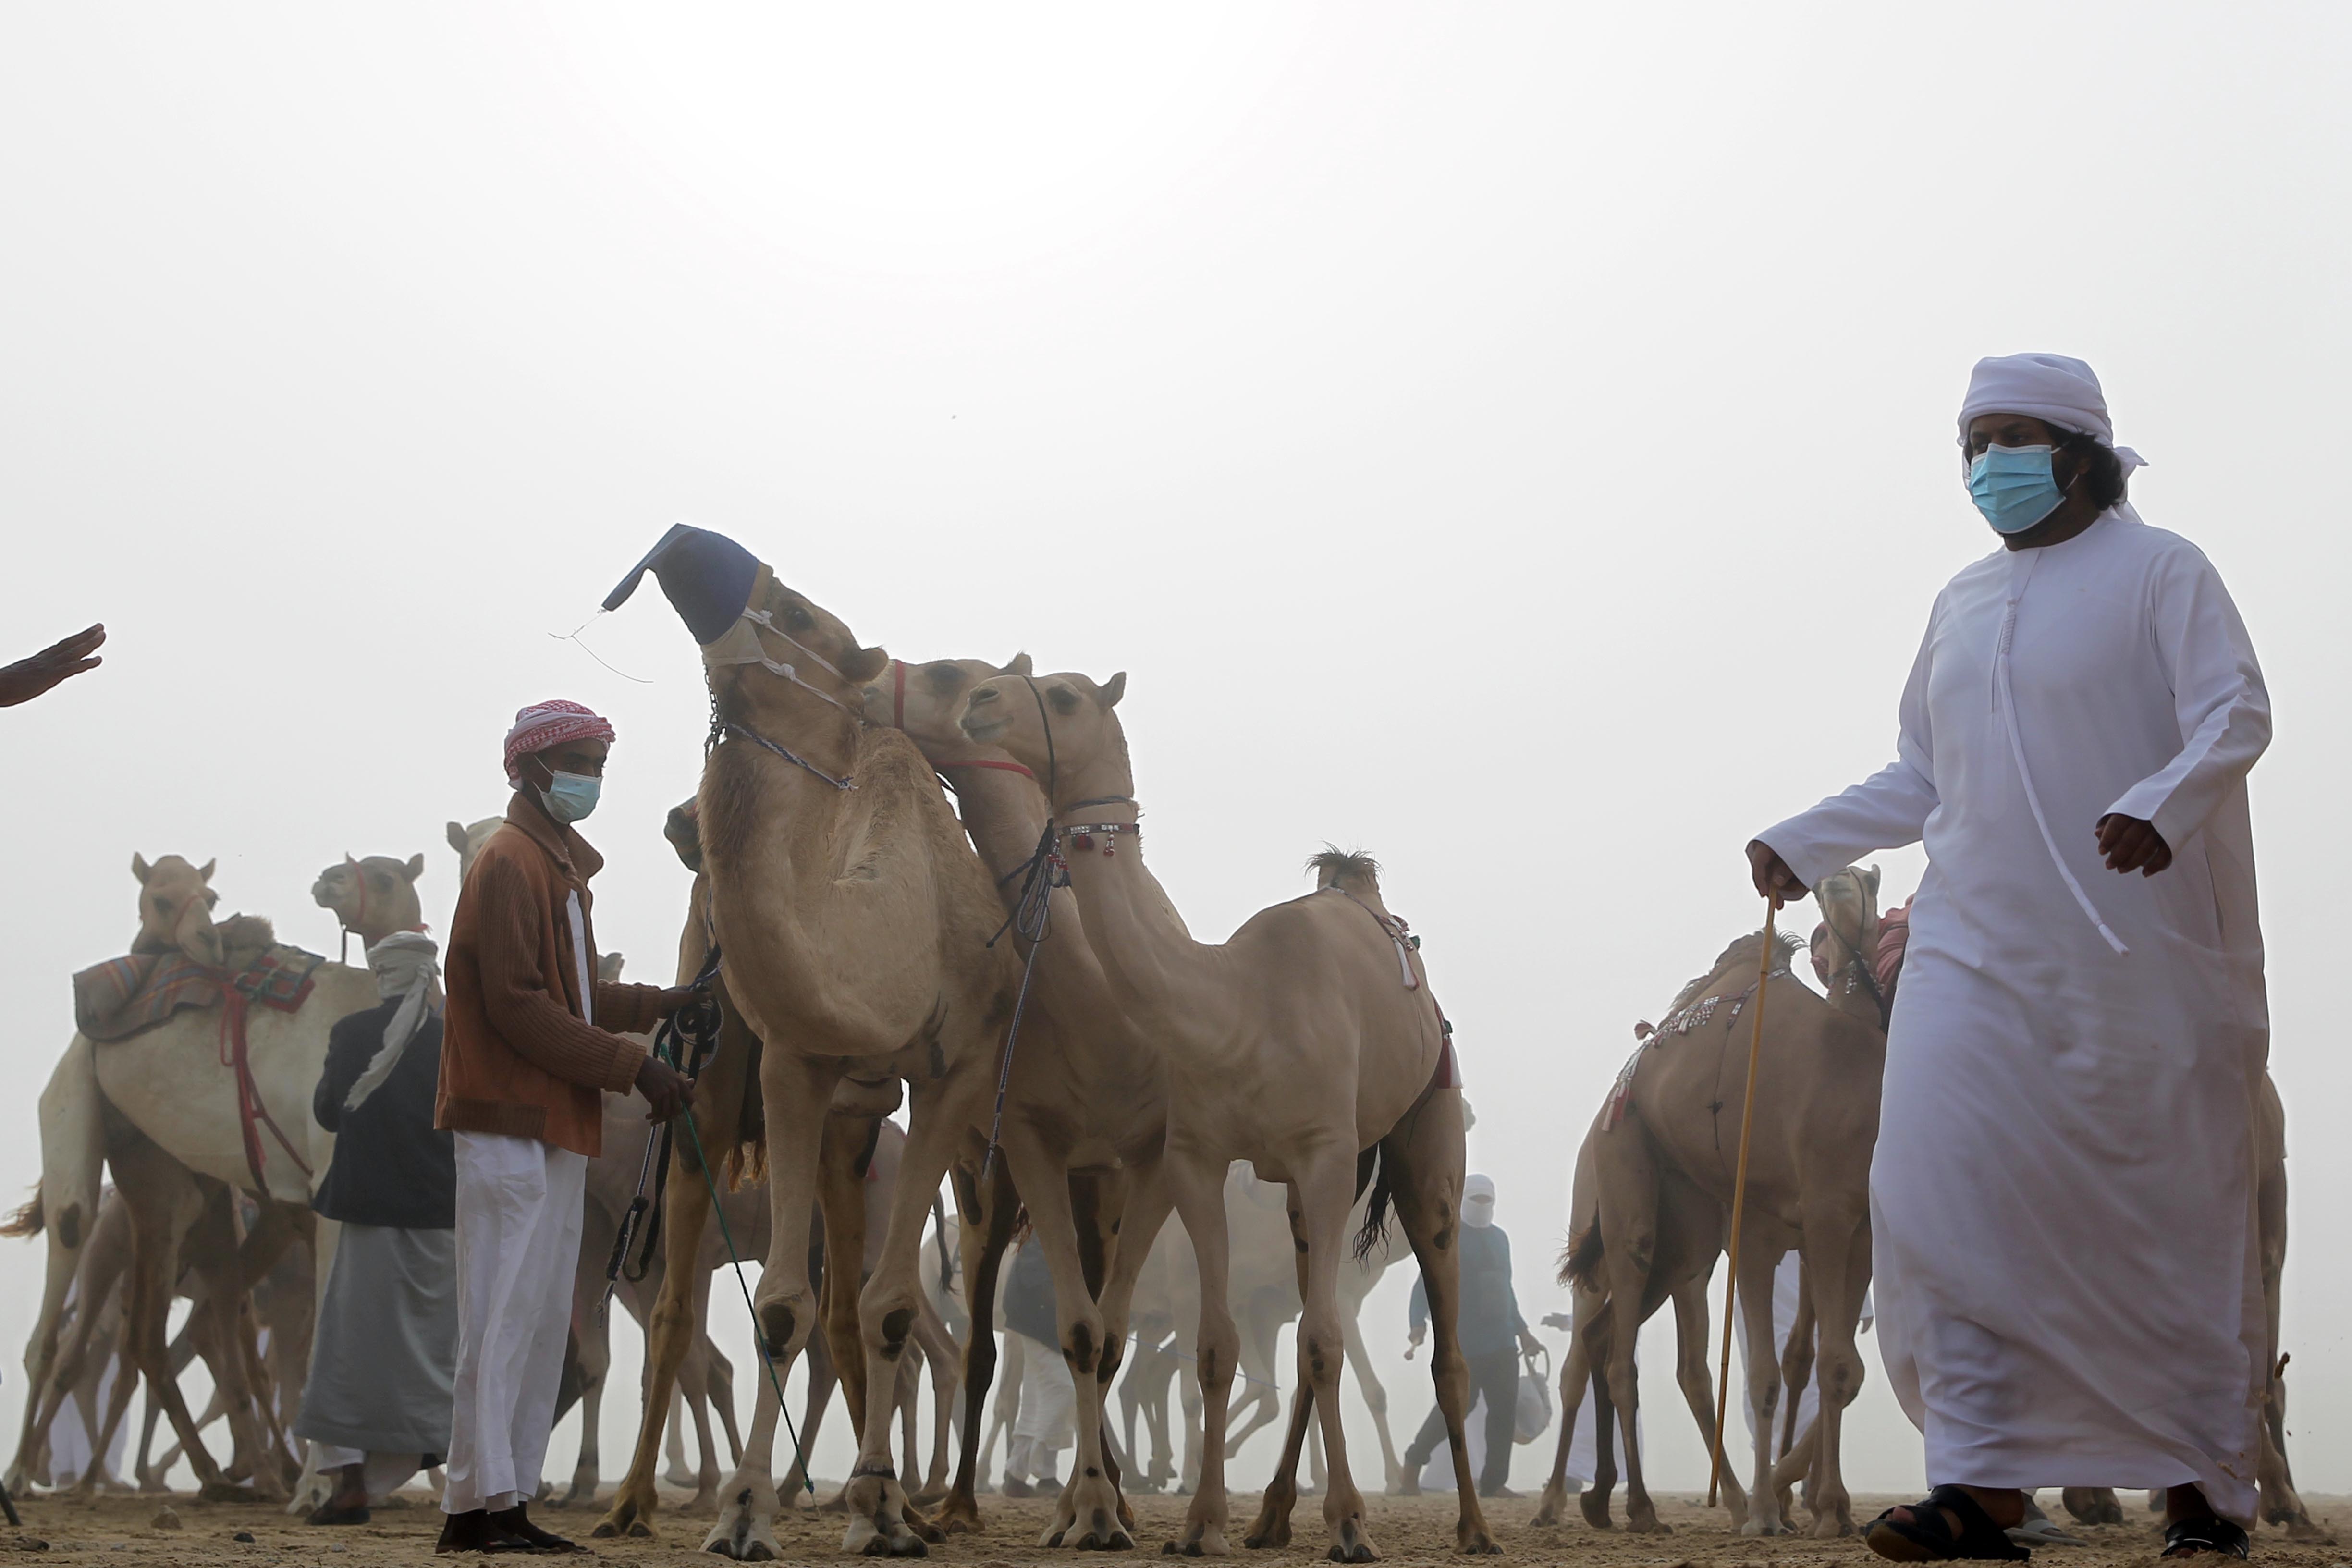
{"x": 519, "y": 1054}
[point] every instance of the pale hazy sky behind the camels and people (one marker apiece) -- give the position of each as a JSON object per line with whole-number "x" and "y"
{"x": 1509, "y": 438}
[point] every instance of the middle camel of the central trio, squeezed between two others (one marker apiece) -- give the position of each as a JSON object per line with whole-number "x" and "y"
{"x": 1085, "y": 1111}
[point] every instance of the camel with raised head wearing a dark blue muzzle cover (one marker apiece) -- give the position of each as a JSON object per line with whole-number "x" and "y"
{"x": 855, "y": 925}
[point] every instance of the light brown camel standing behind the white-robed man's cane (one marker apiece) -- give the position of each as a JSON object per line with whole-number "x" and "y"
{"x": 1664, "y": 1193}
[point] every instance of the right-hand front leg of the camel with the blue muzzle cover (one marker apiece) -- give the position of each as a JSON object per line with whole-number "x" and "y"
{"x": 881, "y": 1520}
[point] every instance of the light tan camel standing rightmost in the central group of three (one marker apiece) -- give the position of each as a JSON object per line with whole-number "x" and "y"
{"x": 1309, "y": 1045}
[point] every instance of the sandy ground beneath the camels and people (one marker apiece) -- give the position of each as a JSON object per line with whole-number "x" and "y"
{"x": 119, "y": 1529}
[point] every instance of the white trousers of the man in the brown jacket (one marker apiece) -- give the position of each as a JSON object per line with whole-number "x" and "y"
{"x": 519, "y": 1238}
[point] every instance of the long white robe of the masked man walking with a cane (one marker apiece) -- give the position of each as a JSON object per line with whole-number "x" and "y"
{"x": 2062, "y": 1200}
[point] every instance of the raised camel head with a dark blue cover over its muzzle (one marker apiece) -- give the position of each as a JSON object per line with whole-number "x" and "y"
{"x": 770, "y": 652}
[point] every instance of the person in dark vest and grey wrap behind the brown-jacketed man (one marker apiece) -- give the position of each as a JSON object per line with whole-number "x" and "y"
{"x": 382, "y": 1365}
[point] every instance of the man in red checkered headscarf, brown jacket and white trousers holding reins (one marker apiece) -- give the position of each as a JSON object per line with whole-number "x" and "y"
{"x": 533, "y": 1045}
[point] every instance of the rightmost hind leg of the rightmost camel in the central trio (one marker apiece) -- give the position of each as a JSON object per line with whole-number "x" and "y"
{"x": 1424, "y": 1170}
